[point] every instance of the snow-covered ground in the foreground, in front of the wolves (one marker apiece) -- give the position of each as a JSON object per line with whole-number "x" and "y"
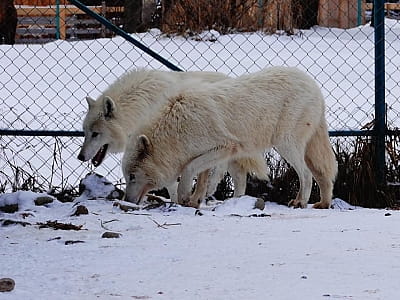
{"x": 227, "y": 251}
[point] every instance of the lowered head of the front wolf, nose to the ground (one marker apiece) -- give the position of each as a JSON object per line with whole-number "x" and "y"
{"x": 140, "y": 170}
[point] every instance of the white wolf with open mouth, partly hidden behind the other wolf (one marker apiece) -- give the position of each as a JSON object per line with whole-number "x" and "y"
{"x": 132, "y": 102}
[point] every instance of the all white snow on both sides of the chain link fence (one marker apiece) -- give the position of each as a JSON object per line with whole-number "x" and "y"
{"x": 227, "y": 251}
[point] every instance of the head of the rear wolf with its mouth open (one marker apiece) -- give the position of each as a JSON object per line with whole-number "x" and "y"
{"x": 103, "y": 134}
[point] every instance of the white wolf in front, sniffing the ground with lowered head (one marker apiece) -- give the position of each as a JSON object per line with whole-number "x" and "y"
{"x": 278, "y": 107}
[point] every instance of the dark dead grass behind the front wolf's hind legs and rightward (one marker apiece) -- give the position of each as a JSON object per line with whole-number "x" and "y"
{"x": 356, "y": 181}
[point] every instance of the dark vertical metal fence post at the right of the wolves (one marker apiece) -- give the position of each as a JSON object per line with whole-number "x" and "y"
{"x": 380, "y": 123}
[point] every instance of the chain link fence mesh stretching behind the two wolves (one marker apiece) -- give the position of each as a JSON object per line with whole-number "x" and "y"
{"x": 61, "y": 55}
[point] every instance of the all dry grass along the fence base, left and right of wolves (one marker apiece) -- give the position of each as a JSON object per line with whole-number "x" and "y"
{"x": 356, "y": 182}
